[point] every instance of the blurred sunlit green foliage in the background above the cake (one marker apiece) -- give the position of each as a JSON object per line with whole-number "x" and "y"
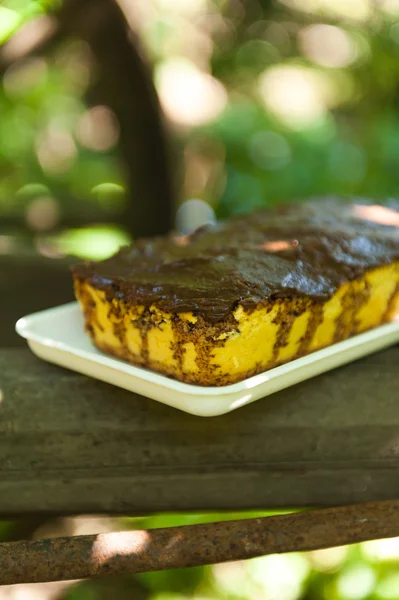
{"x": 254, "y": 151}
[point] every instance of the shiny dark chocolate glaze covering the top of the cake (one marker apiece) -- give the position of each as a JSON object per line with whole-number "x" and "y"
{"x": 304, "y": 249}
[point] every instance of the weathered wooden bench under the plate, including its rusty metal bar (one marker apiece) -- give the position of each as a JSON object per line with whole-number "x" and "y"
{"x": 72, "y": 445}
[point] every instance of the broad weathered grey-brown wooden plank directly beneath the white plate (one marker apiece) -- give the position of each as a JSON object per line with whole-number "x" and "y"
{"x": 69, "y": 444}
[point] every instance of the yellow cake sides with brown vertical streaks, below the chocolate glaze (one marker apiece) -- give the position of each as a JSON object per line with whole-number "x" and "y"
{"x": 191, "y": 349}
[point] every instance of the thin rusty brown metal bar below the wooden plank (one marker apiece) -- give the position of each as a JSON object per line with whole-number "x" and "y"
{"x": 175, "y": 547}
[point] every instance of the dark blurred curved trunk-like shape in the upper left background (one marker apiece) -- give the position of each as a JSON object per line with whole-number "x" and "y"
{"x": 123, "y": 82}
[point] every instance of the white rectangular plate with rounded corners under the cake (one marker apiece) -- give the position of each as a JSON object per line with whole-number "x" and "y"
{"x": 57, "y": 335}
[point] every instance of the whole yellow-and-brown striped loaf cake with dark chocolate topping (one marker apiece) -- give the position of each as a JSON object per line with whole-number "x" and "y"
{"x": 242, "y": 296}
